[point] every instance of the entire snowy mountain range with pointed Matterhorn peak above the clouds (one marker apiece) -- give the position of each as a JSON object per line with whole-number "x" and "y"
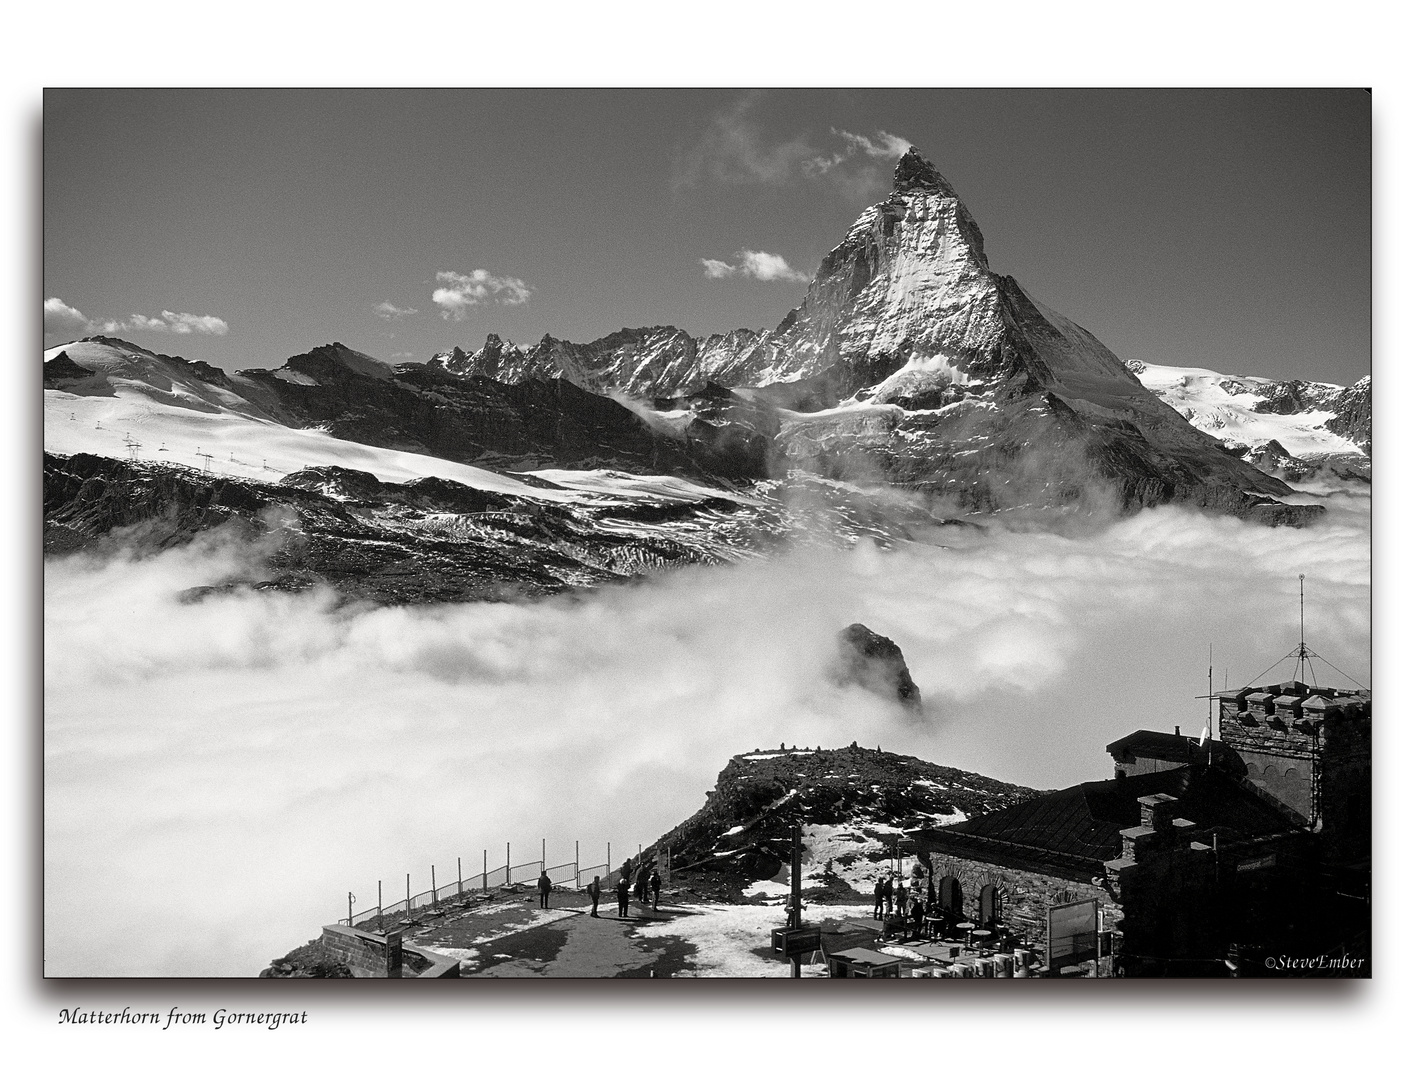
{"x": 914, "y": 391}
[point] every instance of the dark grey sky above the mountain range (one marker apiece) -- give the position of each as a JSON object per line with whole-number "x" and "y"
{"x": 1209, "y": 228}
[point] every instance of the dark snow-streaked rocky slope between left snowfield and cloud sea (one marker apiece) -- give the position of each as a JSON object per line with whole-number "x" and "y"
{"x": 425, "y": 542}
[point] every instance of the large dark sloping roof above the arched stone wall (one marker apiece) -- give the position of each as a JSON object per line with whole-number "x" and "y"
{"x": 1079, "y": 828}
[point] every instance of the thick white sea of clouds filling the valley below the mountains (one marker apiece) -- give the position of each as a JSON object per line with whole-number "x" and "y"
{"x": 221, "y": 774}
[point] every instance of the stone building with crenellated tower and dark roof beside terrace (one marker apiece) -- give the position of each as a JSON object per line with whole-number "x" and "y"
{"x": 1199, "y": 857}
